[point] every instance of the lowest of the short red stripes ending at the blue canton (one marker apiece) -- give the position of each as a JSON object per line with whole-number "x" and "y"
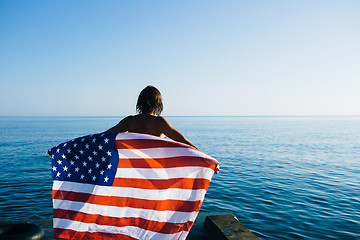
{"x": 159, "y": 184}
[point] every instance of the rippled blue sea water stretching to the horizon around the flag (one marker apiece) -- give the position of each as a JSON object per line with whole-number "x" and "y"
{"x": 283, "y": 177}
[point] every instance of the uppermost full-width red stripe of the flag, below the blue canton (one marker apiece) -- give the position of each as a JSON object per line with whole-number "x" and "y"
{"x": 159, "y": 205}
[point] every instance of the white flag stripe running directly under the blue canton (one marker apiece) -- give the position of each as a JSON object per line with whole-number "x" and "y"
{"x": 149, "y": 194}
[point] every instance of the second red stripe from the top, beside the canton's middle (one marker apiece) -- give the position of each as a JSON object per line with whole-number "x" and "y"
{"x": 180, "y": 161}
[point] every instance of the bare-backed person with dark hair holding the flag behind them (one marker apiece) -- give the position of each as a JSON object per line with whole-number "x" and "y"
{"x": 148, "y": 121}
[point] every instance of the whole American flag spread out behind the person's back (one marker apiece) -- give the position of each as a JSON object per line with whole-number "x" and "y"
{"x": 127, "y": 186}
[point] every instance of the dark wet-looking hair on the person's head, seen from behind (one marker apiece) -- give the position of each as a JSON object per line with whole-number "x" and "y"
{"x": 150, "y": 101}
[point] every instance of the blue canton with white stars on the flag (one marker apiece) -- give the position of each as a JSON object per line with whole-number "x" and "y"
{"x": 90, "y": 159}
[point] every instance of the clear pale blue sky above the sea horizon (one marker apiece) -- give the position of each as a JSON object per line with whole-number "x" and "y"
{"x": 86, "y": 57}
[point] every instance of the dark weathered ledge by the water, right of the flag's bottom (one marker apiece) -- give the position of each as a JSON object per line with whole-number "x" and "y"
{"x": 227, "y": 227}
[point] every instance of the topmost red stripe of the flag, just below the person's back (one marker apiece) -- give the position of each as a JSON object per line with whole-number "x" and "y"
{"x": 148, "y": 143}
